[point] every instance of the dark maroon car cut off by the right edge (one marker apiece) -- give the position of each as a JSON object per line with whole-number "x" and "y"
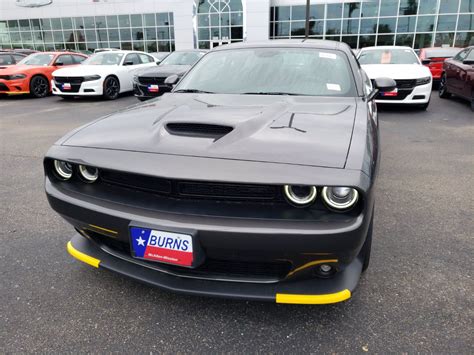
{"x": 458, "y": 76}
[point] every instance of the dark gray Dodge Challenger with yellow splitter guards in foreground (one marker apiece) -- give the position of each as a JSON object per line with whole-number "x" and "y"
{"x": 253, "y": 179}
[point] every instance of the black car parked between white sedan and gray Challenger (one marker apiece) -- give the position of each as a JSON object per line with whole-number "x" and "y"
{"x": 151, "y": 82}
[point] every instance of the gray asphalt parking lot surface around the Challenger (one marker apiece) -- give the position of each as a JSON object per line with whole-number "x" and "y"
{"x": 417, "y": 296}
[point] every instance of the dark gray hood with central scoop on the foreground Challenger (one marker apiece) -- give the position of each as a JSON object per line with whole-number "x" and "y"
{"x": 280, "y": 129}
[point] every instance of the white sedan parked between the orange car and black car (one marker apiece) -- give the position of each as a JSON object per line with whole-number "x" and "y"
{"x": 105, "y": 74}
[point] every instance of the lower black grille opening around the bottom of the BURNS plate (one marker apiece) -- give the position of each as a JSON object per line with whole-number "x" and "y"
{"x": 211, "y": 268}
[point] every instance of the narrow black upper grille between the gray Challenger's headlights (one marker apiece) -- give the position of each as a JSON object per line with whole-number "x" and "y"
{"x": 192, "y": 189}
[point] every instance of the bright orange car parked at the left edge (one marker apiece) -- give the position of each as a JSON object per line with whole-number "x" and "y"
{"x": 33, "y": 74}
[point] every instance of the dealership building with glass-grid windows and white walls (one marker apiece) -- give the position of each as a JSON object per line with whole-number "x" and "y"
{"x": 165, "y": 25}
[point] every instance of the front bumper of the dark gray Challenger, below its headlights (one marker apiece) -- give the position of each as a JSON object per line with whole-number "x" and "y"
{"x": 305, "y": 244}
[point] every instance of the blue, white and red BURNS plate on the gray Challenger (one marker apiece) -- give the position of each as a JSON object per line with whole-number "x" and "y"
{"x": 165, "y": 247}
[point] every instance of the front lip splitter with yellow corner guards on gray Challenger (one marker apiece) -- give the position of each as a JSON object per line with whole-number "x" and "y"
{"x": 322, "y": 291}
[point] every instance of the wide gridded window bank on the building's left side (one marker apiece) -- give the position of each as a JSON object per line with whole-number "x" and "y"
{"x": 91, "y": 32}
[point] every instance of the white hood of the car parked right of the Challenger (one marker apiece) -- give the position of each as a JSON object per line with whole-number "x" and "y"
{"x": 396, "y": 71}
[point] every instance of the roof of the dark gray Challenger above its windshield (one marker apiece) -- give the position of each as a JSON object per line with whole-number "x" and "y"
{"x": 289, "y": 43}
